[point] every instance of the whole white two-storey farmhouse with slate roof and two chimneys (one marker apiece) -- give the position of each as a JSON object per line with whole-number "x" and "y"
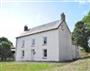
{"x": 49, "y": 42}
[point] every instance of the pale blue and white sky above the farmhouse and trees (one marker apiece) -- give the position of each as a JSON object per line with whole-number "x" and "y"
{"x": 14, "y": 14}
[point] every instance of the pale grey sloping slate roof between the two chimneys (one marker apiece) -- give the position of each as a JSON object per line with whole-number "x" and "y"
{"x": 45, "y": 27}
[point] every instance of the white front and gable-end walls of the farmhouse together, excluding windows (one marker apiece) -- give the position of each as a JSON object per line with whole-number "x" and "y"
{"x": 59, "y": 46}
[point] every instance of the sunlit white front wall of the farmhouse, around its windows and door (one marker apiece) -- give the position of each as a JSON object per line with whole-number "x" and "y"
{"x": 52, "y": 46}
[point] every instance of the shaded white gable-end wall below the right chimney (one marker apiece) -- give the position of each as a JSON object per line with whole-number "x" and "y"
{"x": 65, "y": 43}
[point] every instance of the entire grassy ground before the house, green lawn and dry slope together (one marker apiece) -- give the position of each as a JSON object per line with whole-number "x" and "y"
{"x": 78, "y": 65}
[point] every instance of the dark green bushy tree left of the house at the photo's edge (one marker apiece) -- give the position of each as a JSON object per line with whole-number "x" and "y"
{"x": 5, "y": 50}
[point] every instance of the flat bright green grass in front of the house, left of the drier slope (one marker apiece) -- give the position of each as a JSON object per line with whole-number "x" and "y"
{"x": 27, "y": 66}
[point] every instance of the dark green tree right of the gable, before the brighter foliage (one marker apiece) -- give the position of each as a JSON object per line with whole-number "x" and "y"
{"x": 80, "y": 35}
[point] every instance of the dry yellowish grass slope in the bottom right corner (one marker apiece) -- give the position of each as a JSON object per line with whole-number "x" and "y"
{"x": 79, "y": 65}
